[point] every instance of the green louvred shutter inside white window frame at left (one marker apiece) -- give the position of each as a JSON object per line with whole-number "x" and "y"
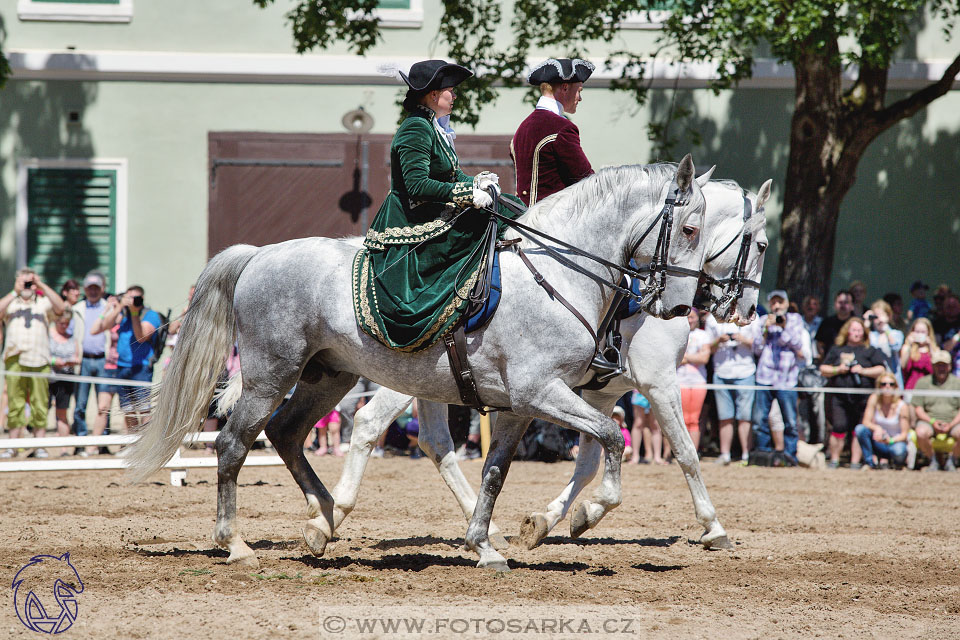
{"x": 71, "y": 225}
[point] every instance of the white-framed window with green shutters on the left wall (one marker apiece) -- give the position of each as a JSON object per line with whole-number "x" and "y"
{"x": 71, "y": 218}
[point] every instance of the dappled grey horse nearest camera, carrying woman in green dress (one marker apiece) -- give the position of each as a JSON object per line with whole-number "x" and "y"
{"x": 290, "y": 306}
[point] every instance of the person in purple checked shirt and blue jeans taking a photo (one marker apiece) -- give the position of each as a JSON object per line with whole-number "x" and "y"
{"x": 779, "y": 346}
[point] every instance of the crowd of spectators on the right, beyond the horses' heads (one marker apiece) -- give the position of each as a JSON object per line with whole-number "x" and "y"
{"x": 877, "y": 350}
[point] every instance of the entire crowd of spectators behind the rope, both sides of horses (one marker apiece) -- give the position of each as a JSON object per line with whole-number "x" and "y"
{"x": 886, "y": 355}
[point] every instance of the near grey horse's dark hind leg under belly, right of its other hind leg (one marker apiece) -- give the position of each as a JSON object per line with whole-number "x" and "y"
{"x": 287, "y": 431}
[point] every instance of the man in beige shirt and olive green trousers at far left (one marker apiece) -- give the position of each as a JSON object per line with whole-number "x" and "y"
{"x": 26, "y": 317}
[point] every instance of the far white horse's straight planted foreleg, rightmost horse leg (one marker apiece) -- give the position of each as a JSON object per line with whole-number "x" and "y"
{"x": 667, "y": 407}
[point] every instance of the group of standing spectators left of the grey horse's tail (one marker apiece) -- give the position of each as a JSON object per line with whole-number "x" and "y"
{"x": 115, "y": 337}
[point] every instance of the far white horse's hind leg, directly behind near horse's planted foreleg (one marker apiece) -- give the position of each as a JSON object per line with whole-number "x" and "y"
{"x": 436, "y": 442}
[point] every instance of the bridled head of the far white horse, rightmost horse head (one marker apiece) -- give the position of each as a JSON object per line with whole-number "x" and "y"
{"x": 730, "y": 286}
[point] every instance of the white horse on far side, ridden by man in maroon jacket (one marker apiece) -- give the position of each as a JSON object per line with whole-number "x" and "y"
{"x": 653, "y": 348}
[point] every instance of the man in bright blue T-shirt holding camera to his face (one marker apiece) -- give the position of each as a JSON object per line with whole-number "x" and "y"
{"x": 137, "y": 324}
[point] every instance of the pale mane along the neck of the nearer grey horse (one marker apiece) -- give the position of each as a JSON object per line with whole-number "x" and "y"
{"x": 622, "y": 183}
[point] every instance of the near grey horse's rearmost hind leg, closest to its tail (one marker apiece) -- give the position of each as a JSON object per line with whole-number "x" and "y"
{"x": 233, "y": 444}
